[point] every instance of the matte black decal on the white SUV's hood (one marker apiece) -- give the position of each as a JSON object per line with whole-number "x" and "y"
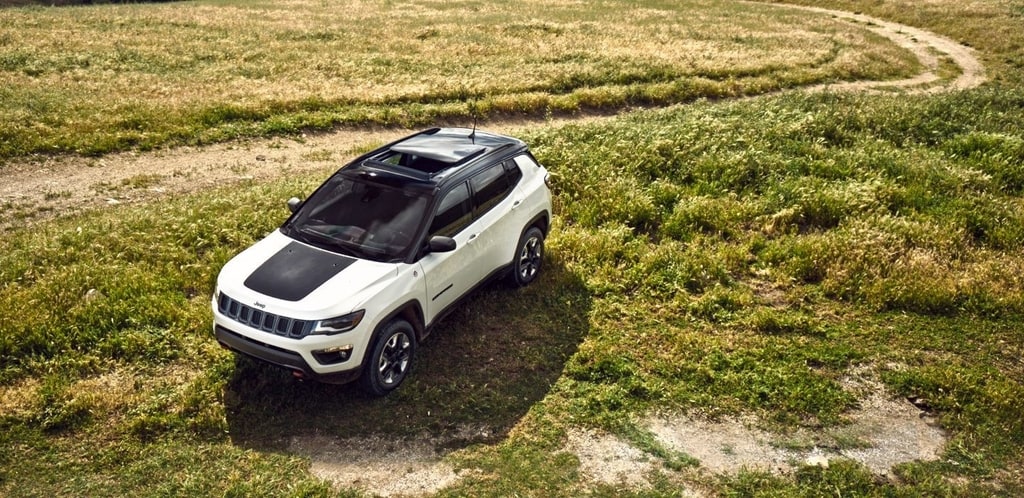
{"x": 296, "y": 271}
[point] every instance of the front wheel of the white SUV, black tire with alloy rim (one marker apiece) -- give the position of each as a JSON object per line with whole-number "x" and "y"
{"x": 391, "y": 359}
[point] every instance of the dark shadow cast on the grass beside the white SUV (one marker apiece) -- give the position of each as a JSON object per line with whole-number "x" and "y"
{"x": 483, "y": 367}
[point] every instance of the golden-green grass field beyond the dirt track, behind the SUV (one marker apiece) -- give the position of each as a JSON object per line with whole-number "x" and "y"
{"x": 93, "y": 80}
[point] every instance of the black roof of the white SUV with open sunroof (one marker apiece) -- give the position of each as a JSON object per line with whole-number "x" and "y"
{"x": 434, "y": 156}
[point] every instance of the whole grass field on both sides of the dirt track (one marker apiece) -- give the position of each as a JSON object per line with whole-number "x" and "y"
{"x": 760, "y": 251}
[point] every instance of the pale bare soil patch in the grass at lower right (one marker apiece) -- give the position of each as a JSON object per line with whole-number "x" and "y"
{"x": 883, "y": 433}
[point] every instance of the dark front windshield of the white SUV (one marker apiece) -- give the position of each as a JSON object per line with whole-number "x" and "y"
{"x": 361, "y": 220}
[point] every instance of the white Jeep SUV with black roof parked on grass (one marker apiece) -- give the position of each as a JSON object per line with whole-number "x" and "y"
{"x": 365, "y": 268}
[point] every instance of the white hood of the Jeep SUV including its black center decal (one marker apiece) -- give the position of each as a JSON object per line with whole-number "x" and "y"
{"x": 283, "y": 274}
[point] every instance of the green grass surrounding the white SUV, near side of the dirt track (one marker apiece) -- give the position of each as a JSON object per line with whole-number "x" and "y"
{"x": 759, "y": 254}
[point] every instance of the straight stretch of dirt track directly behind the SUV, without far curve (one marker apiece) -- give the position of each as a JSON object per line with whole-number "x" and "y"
{"x": 35, "y": 191}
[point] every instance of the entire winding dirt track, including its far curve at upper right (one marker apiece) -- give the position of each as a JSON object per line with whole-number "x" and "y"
{"x": 35, "y": 191}
